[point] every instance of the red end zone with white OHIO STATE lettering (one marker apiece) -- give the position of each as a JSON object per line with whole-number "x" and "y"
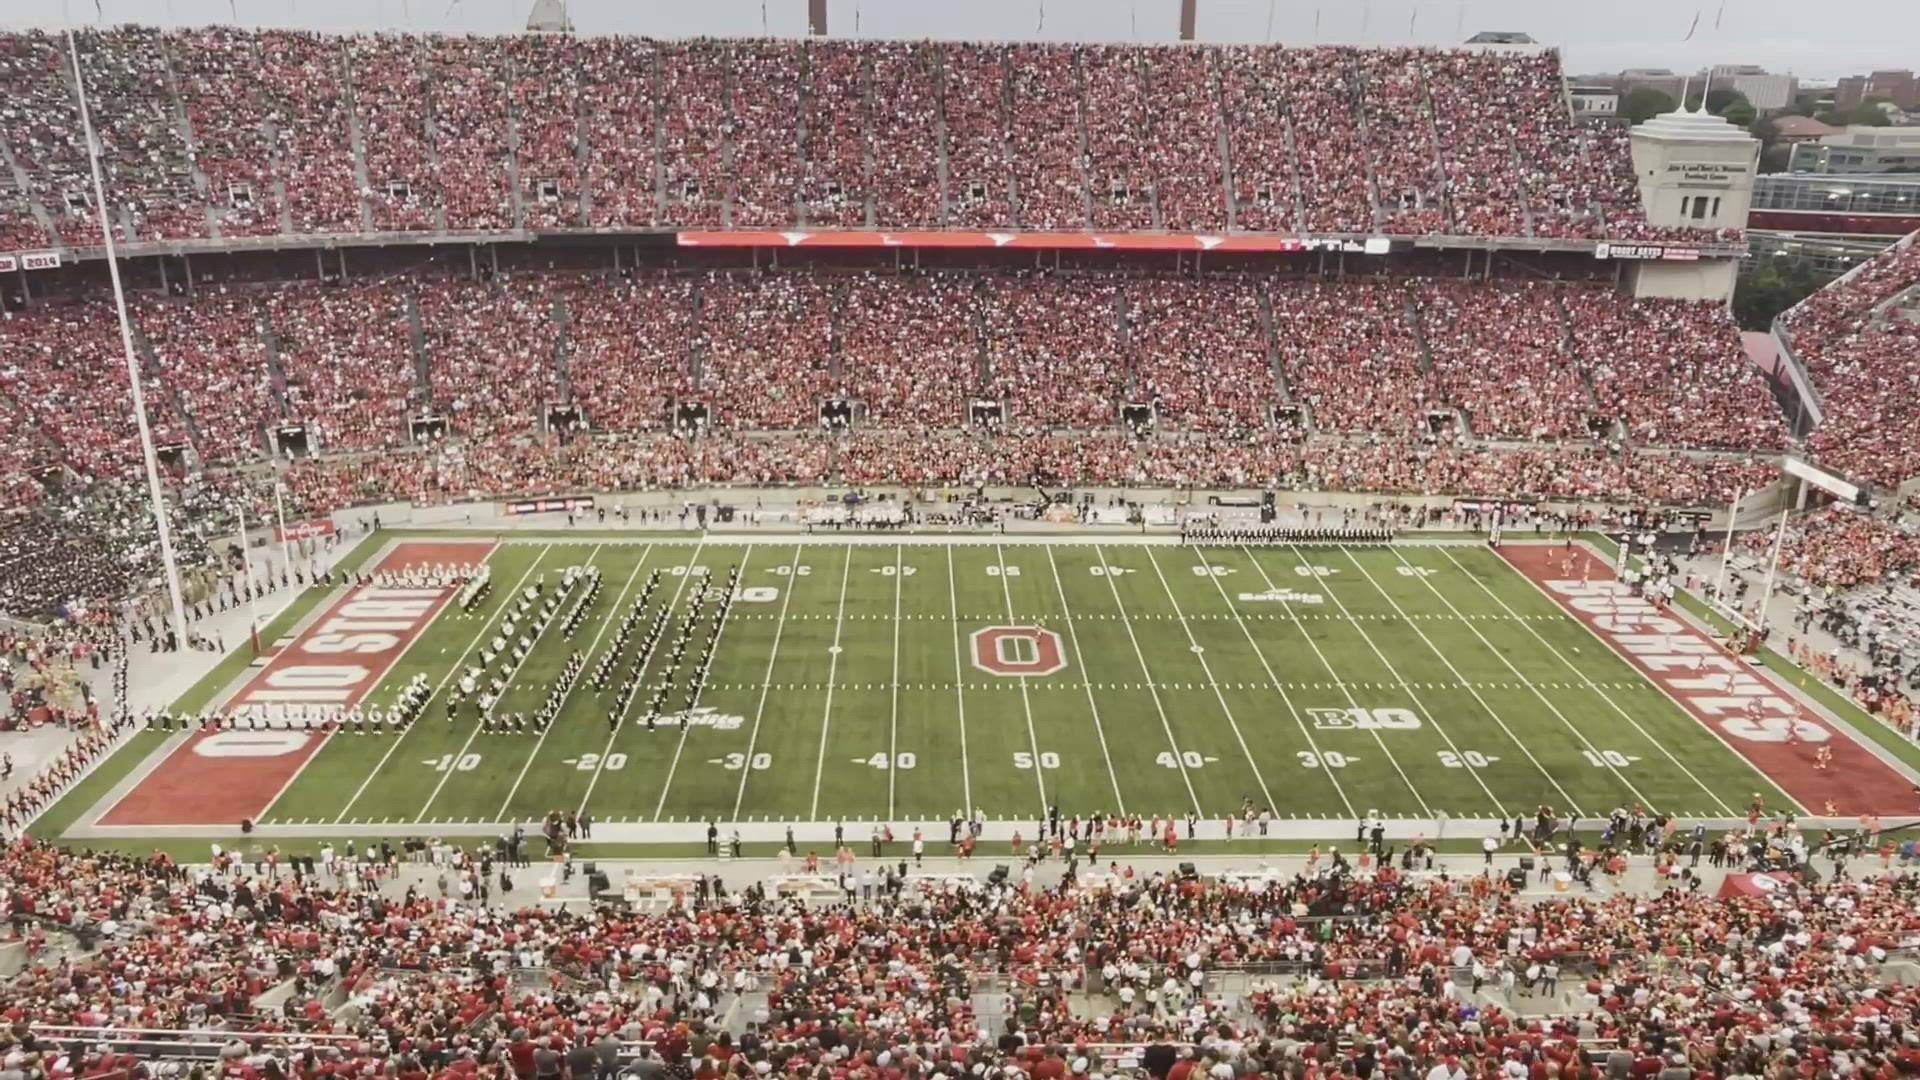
{"x": 226, "y": 777}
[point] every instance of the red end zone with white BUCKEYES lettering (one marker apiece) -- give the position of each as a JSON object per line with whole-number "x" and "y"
{"x": 1762, "y": 722}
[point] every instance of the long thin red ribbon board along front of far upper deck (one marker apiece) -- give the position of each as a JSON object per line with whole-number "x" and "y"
{"x": 1045, "y": 241}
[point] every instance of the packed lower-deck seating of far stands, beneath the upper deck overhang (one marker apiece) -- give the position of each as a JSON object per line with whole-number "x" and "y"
{"x": 1383, "y": 358}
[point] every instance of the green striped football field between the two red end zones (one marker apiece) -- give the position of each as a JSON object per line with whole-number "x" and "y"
{"x": 852, "y": 681}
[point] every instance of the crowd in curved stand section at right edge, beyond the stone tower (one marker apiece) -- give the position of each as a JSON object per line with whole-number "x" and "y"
{"x": 1863, "y": 355}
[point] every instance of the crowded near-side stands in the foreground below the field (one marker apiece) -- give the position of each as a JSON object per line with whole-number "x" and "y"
{"x": 1714, "y": 987}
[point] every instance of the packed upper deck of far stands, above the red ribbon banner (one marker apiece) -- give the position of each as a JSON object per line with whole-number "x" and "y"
{"x": 226, "y": 134}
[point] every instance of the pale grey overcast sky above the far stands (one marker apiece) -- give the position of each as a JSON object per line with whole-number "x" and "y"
{"x": 1810, "y": 39}
